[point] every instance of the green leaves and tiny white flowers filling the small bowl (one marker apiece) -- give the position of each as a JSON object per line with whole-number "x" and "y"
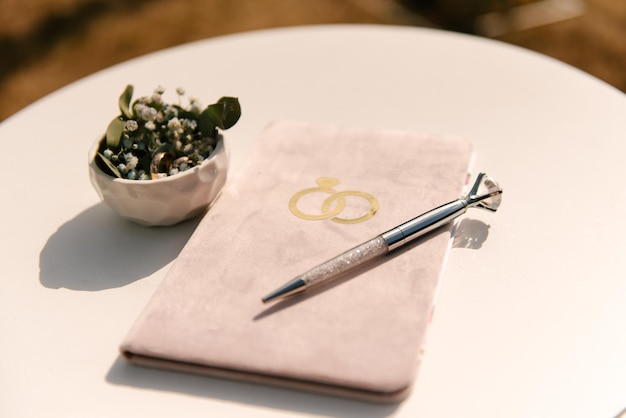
{"x": 151, "y": 139}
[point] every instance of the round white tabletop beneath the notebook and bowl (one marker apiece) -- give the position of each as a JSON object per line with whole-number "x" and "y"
{"x": 531, "y": 324}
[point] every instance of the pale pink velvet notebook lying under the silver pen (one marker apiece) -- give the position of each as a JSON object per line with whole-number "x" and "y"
{"x": 307, "y": 193}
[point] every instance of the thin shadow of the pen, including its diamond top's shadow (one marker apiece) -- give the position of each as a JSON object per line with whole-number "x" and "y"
{"x": 469, "y": 233}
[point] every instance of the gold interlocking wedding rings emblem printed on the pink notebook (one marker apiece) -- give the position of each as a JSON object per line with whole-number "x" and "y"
{"x": 334, "y": 204}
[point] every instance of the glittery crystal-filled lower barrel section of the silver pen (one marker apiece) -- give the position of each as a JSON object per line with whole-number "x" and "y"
{"x": 346, "y": 262}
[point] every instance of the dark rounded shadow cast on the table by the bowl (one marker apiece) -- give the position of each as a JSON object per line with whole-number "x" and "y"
{"x": 98, "y": 250}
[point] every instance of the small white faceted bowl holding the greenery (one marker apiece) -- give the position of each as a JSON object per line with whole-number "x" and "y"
{"x": 164, "y": 201}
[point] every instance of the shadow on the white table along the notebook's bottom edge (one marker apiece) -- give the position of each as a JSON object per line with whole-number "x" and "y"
{"x": 124, "y": 374}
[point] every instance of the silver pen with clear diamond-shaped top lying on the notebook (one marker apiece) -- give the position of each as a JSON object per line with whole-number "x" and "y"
{"x": 489, "y": 199}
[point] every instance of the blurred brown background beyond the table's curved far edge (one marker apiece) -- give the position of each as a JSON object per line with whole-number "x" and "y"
{"x": 46, "y": 44}
